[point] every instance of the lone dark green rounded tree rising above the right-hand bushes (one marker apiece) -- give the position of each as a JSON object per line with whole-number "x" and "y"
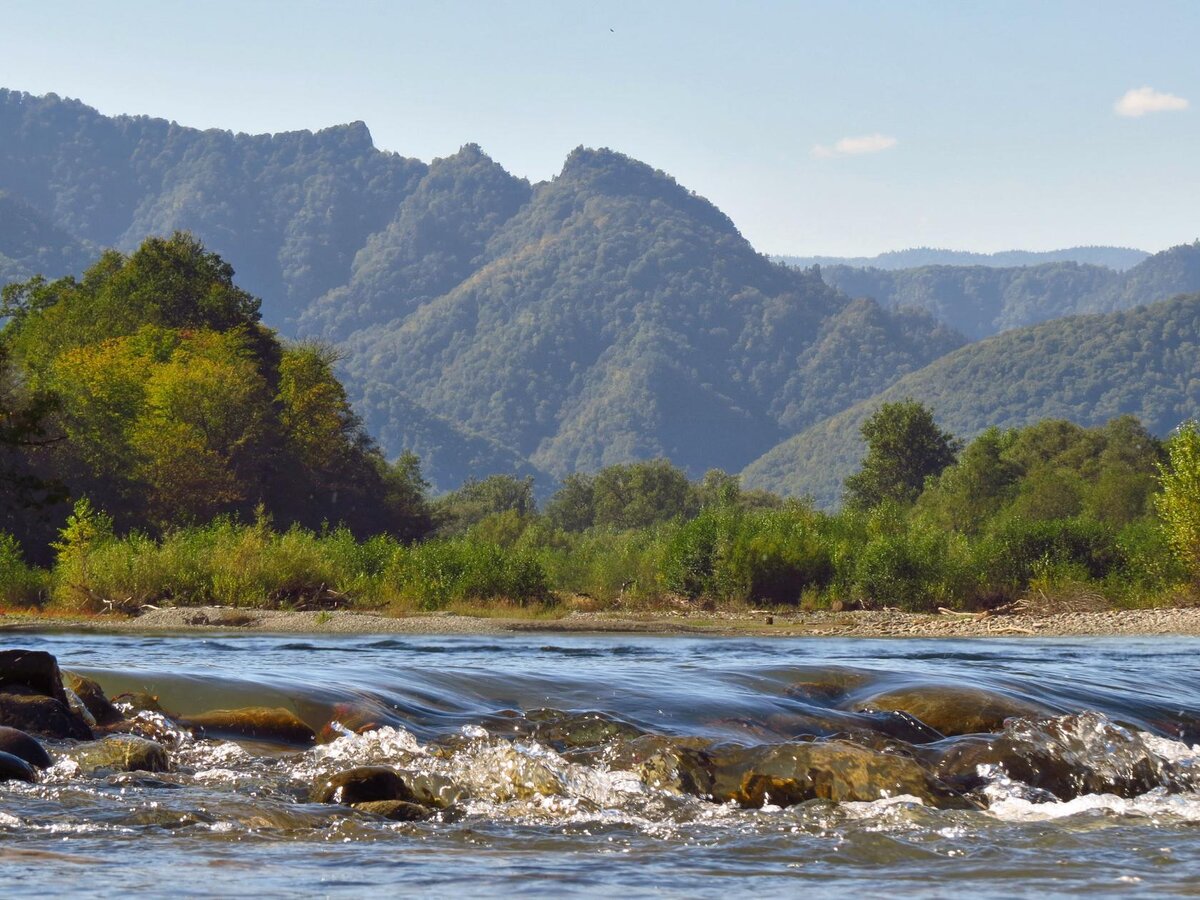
{"x": 904, "y": 448}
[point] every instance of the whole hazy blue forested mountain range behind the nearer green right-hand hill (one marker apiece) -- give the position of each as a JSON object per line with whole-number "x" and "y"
{"x": 494, "y": 326}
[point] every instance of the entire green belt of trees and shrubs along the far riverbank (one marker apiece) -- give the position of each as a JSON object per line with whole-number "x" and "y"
{"x": 160, "y": 447}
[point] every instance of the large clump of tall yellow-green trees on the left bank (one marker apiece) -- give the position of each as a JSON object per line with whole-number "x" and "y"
{"x": 173, "y": 406}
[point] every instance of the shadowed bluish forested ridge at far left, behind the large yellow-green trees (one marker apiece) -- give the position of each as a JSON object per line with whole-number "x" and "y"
{"x": 290, "y": 211}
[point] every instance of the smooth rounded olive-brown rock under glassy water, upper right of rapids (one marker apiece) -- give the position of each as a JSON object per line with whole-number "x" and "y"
{"x": 953, "y": 711}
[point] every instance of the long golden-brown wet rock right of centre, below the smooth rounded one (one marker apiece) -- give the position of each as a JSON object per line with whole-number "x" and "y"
{"x": 787, "y": 775}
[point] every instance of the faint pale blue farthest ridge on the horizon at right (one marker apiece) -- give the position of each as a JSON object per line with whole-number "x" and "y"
{"x": 1119, "y": 259}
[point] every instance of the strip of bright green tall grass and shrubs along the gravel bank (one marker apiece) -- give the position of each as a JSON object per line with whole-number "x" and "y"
{"x": 728, "y": 556}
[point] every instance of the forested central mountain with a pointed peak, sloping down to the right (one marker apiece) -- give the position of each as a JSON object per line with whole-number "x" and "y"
{"x": 619, "y": 316}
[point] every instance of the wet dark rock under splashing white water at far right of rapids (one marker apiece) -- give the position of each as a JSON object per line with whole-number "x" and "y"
{"x": 1067, "y": 757}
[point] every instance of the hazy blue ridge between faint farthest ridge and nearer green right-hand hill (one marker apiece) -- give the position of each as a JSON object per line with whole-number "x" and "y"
{"x": 985, "y": 301}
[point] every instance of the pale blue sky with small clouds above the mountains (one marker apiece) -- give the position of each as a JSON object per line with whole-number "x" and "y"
{"x": 967, "y": 125}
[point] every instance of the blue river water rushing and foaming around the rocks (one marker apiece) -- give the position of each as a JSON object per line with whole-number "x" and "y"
{"x": 525, "y": 739}
